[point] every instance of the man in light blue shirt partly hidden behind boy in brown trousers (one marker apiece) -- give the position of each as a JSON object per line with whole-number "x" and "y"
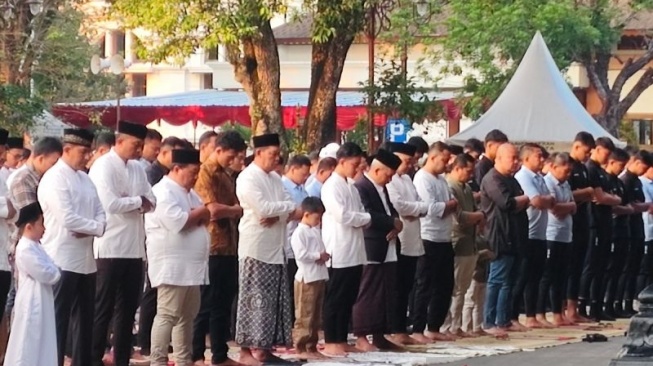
{"x": 297, "y": 171}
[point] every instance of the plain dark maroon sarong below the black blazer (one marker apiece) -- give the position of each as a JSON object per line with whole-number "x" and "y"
{"x": 375, "y": 307}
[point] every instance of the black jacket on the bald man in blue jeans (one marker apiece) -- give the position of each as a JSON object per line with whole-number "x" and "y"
{"x": 507, "y": 227}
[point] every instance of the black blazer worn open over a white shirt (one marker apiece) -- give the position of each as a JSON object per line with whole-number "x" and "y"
{"x": 376, "y": 245}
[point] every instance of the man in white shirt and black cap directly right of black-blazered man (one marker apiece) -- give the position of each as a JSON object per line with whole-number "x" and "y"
{"x": 410, "y": 208}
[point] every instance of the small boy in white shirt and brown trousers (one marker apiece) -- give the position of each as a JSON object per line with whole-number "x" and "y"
{"x": 310, "y": 279}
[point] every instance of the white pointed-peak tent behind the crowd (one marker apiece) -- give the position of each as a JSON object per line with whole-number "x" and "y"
{"x": 537, "y": 105}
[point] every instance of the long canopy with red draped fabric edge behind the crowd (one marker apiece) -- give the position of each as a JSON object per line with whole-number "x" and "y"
{"x": 214, "y": 107}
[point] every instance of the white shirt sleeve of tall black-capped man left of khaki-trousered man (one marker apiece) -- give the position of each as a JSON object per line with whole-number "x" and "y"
{"x": 109, "y": 194}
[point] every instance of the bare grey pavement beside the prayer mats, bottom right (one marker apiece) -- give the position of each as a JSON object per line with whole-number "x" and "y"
{"x": 577, "y": 354}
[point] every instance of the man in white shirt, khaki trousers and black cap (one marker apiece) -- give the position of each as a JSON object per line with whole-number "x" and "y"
{"x": 178, "y": 252}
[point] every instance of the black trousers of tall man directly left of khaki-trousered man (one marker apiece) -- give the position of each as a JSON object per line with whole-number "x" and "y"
{"x": 119, "y": 288}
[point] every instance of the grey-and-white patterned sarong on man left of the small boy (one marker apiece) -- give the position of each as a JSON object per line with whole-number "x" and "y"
{"x": 263, "y": 318}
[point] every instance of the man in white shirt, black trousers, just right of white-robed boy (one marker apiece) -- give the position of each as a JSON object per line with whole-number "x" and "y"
{"x": 74, "y": 216}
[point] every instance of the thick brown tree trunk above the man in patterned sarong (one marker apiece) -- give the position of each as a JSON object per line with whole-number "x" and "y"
{"x": 257, "y": 68}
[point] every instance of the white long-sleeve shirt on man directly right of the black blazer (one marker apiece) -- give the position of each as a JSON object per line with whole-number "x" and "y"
{"x": 406, "y": 201}
